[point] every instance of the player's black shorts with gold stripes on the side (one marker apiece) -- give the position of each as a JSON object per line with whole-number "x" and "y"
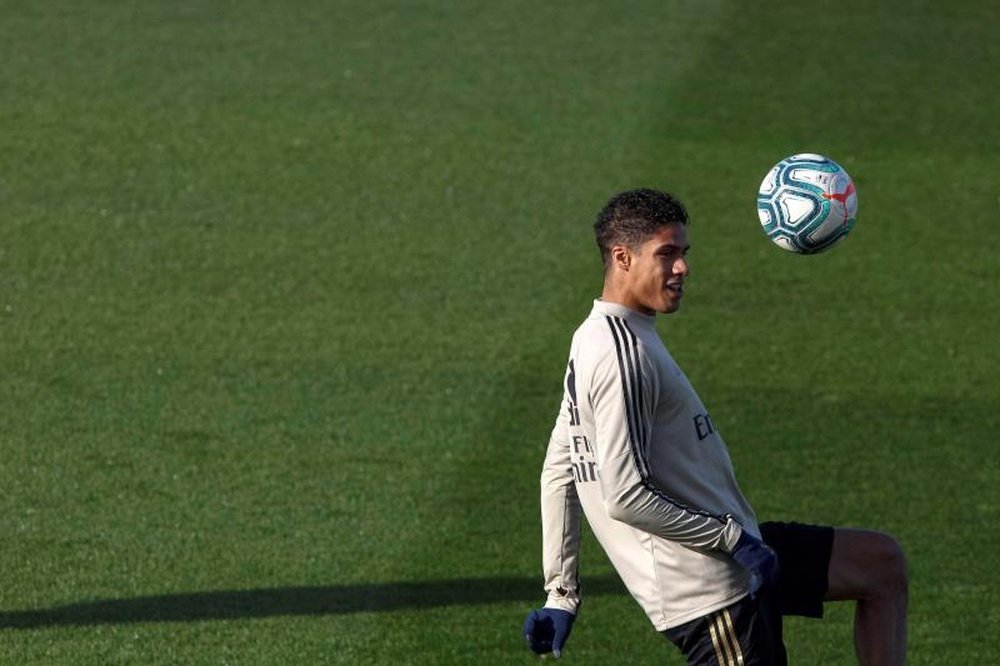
{"x": 749, "y": 632}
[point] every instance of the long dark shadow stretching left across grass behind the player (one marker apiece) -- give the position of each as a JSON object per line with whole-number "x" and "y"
{"x": 290, "y": 601}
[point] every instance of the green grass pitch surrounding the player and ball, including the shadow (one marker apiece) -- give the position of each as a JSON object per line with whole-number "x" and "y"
{"x": 286, "y": 293}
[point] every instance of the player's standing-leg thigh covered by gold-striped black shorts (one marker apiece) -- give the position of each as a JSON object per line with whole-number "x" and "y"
{"x": 747, "y": 633}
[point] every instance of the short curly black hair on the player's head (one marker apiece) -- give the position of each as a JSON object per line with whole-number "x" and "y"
{"x": 631, "y": 217}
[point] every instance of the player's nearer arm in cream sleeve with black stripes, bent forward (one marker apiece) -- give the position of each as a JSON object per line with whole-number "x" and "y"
{"x": 624, "y": 396}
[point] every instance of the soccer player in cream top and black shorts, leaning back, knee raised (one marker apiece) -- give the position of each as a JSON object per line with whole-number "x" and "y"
{"x": 635, "y": 450}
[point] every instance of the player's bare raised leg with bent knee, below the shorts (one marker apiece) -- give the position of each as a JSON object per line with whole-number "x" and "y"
{"x": 870, "y": 568}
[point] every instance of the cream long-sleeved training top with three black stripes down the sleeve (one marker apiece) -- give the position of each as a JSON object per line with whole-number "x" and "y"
{"x": 635, "y": 449}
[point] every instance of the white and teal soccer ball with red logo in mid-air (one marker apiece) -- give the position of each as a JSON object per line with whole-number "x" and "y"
{"x": 807, "y": 203}
